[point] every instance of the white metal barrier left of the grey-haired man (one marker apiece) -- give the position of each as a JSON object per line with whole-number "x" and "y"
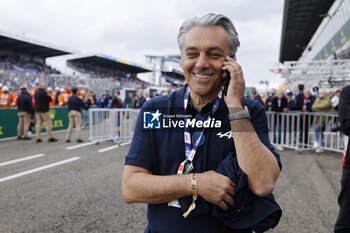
{"x": 112, "y": 124}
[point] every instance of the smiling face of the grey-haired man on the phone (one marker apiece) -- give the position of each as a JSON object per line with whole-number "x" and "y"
{"x": 203, "y": 53}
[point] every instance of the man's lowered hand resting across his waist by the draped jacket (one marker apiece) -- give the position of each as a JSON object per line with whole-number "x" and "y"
{"x": 216, "y": 188}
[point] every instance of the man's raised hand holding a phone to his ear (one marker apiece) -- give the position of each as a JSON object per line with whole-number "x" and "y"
{"x": 236, "y": 87}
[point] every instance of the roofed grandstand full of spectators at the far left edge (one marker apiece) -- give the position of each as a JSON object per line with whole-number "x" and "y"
{"x": 22, "y": 60}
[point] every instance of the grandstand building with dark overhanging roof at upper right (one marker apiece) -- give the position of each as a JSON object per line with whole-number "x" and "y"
{"x": 315, "y": 45}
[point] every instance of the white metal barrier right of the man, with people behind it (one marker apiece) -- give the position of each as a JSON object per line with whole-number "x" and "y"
{"x": 305, "y": 131}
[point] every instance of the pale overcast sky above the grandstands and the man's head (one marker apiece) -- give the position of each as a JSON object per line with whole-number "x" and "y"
{"x": 131, "y": 29}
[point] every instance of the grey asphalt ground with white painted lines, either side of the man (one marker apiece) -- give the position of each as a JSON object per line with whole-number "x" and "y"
{"x": 79, "y": 190}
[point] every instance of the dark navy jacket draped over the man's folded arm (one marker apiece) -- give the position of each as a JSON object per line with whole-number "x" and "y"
{"x": 250, "y": 212}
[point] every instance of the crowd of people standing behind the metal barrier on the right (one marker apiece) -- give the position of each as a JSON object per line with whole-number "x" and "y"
{"x": 302, "y": 101}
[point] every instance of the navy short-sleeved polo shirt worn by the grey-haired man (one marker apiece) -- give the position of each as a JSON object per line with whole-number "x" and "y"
{"x": 162, "y": 150}
